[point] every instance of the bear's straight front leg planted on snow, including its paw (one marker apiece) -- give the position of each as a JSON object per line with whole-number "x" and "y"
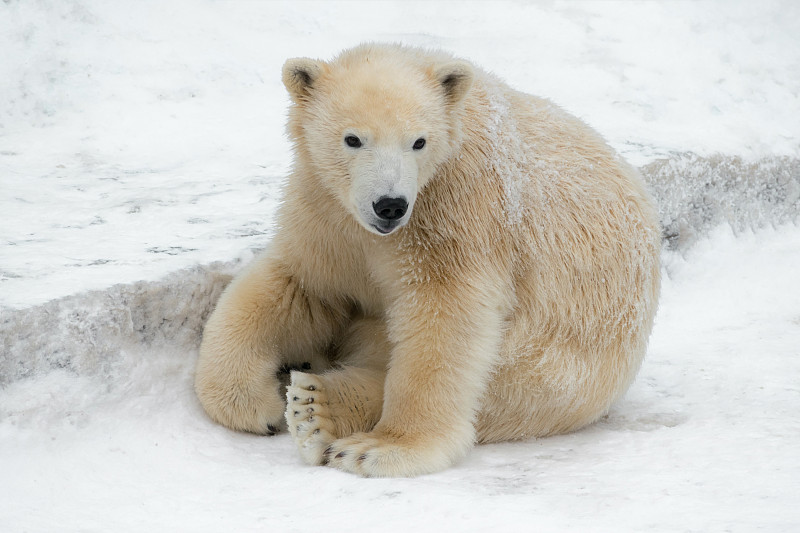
{"x": 447, "y": 338}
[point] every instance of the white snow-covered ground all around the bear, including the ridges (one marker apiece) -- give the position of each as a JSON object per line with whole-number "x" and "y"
{"x": 141, "y": 154}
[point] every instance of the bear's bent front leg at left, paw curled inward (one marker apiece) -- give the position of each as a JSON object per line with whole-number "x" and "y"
{"x": 264, "y": 321}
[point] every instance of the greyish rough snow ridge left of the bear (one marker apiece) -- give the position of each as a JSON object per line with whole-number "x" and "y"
{"x": 91, "y": 333}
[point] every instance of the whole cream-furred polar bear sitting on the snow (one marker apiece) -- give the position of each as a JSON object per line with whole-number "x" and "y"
{"x": 455, "y": 262}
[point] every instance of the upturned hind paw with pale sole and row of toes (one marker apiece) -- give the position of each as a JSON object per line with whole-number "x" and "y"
{"x": 308, "y": 416}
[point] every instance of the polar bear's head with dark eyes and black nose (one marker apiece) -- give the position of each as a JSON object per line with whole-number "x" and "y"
{"x": 375, "y": 124}
